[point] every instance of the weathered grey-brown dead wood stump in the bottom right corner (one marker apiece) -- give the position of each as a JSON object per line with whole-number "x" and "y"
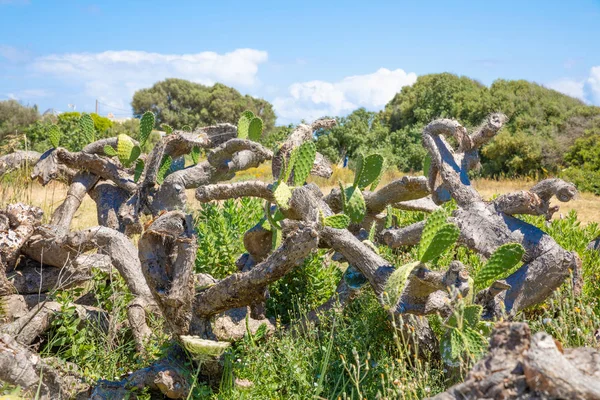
{"x": 525, "y": 367}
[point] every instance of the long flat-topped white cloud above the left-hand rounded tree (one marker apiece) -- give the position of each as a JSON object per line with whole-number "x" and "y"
{"x": 113, "y": 76}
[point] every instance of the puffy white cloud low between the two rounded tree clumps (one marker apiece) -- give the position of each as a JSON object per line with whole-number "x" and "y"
{"x": 314, "y": 99}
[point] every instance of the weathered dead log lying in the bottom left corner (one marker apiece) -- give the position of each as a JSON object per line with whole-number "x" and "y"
{"x": 19, "y": 366}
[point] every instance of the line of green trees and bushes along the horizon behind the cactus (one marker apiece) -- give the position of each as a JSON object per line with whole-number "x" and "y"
{"x": 548, "y": 133}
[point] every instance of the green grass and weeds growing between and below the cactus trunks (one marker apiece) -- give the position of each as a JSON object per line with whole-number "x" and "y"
{"x": 352, "y": 354}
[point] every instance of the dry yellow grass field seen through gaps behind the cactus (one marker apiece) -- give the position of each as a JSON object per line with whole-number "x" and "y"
{"x": 48, "y": 198}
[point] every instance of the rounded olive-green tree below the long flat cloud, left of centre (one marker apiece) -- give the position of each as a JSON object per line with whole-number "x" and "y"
{"x": 178, "y": 102}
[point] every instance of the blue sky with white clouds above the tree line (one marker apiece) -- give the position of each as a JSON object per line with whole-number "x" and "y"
{"x": 309, "y": 58}
